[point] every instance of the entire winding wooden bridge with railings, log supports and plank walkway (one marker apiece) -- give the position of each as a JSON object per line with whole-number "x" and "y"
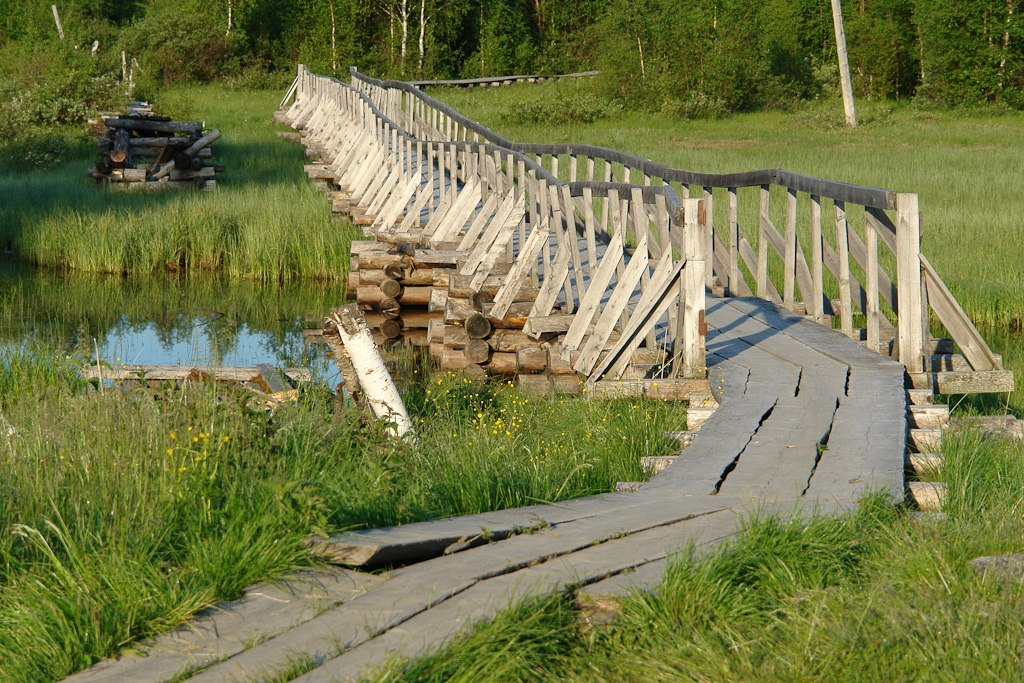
{"x": 609, "y": 267}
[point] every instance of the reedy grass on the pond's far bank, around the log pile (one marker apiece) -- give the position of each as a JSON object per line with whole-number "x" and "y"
{"x": 265, "y": 221}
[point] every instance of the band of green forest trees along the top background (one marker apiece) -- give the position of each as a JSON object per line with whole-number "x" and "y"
{"x": 697, "y": 59}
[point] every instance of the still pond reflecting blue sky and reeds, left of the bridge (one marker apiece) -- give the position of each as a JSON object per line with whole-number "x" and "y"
{"x": 201, "y": 321}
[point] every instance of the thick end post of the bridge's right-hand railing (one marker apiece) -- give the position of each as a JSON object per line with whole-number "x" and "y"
{"x": 912, "y": 334}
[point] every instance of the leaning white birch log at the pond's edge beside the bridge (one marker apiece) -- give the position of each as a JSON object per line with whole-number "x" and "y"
{"x": 378, "y": 388}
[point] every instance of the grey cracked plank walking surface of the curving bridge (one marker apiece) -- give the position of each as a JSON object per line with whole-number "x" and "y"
{"x": 809, "y": 420}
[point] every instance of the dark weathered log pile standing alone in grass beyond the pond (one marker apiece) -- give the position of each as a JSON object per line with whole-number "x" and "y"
{"x": 140, "y": 150}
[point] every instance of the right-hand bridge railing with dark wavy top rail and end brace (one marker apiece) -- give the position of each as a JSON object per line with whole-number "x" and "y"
{"x": 807, "y": 267}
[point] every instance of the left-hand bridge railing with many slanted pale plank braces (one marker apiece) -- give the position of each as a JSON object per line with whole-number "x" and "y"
{"x": 616, "y": 267}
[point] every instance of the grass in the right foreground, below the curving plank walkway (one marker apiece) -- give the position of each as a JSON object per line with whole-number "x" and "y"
{"x": 877, "y": 595}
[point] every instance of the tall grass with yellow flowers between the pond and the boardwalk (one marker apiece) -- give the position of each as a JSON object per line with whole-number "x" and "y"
{"x": 125, "y": 513}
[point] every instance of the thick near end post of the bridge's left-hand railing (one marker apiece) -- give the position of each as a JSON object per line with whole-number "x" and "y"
{"x": 695, "y": 248}
